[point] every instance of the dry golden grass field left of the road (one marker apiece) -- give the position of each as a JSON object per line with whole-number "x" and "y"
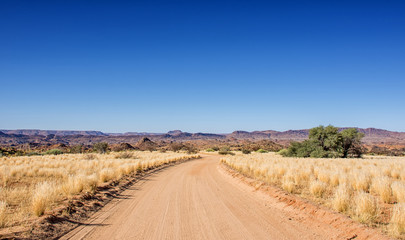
{"x": 29, "y": 186}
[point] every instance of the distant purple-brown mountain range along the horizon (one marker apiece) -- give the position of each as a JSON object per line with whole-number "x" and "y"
{"x": 22, "y": 136}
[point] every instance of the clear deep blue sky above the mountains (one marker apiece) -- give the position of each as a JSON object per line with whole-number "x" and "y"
{"x": 205, "y": 66}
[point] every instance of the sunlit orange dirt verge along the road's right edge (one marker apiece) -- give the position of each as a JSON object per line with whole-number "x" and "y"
{"x": 307, "y": 210}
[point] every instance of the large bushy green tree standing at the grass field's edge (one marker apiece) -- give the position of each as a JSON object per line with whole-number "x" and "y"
{"x": 328, "y": 142}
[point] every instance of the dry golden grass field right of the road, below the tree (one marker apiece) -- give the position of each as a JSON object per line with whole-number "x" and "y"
{"x": 370, "y": 190}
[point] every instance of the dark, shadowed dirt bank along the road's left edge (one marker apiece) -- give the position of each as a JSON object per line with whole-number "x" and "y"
{"x": 80, "y": 210}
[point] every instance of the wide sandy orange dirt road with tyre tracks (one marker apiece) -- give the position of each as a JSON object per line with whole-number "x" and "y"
{"x": 196, "y": 200}
